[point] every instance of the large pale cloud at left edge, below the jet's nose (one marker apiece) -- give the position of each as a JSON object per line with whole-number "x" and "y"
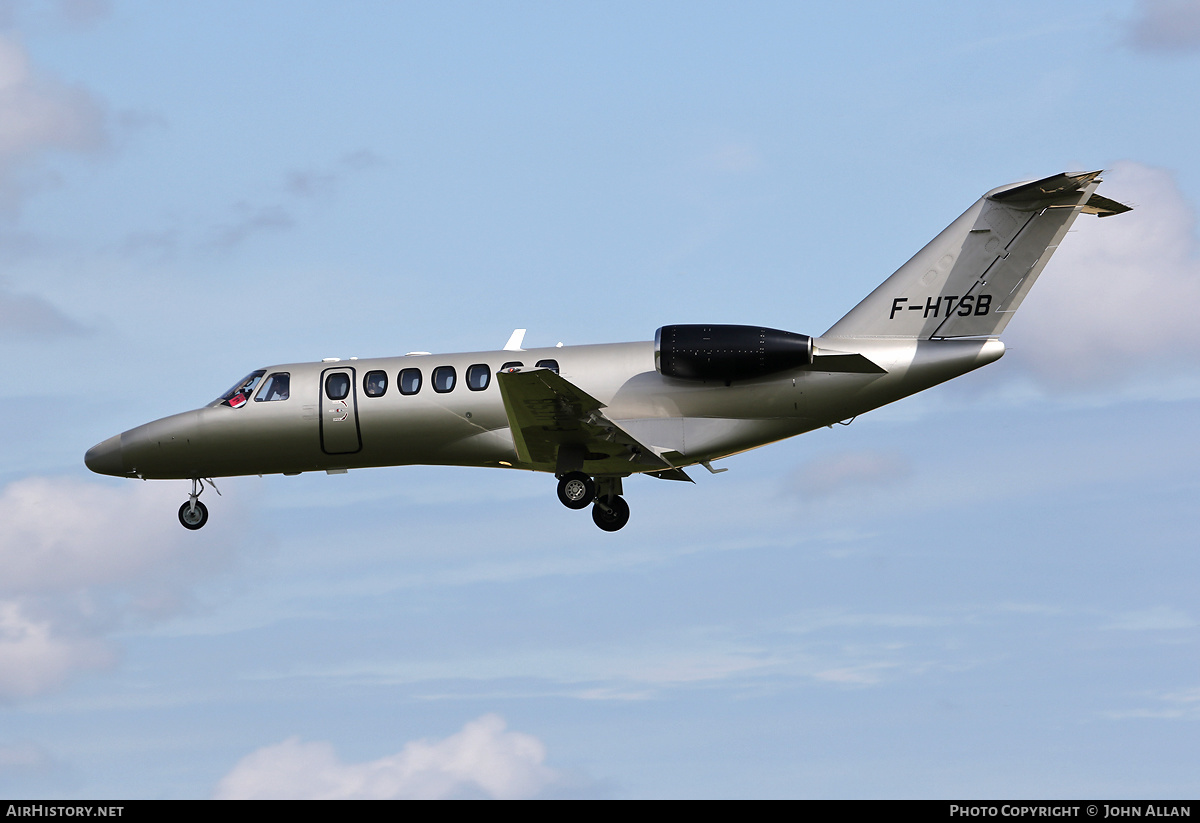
{"x": 80, "y": 561}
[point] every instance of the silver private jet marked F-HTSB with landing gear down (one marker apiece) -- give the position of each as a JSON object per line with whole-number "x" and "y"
{"x": 593, "y": 416}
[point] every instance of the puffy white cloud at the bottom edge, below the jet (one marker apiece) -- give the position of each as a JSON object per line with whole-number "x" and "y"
{"x": 483, "y": 760}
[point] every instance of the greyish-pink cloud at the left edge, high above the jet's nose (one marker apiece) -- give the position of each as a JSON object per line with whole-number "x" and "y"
{"x": 38, "y": 116}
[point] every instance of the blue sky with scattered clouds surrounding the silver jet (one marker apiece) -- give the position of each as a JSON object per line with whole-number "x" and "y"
{"x": 985, "y": 591}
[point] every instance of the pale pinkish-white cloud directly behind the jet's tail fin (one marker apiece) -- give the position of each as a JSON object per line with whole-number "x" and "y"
{"x": 1119, "y": 298}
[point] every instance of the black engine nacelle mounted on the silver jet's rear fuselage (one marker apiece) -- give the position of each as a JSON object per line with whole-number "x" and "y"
{"x": 728, "y": 353}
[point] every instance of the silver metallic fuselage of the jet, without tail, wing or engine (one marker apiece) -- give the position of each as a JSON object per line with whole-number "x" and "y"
{"x": 693, "y": 420}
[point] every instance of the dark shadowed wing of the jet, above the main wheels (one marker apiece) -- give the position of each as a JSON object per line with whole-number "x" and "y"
{"x": 560, "y": 428}
